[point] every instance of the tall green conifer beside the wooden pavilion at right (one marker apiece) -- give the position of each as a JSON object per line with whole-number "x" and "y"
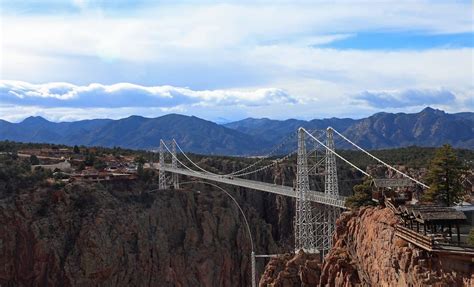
{"x": 444, "y": 177}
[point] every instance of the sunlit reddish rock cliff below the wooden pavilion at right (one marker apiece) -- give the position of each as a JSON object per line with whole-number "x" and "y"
{"x": 367, "y": 253}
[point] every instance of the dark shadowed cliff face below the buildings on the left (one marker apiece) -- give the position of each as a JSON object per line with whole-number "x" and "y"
{"x": 117, "y": 236}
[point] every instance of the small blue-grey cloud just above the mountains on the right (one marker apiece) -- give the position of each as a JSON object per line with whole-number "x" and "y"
{"x": 406, "y": 98}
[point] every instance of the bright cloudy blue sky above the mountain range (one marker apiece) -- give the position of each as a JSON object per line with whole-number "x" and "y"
{"x": 225, "y": 61}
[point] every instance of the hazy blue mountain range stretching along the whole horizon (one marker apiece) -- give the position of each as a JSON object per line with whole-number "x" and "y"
{"x": 429, "y": 127}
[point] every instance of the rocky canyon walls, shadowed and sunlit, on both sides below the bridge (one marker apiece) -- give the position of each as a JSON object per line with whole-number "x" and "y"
{"x": 132, "y": 234}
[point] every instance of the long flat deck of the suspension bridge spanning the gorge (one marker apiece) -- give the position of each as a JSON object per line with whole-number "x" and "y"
{"x": 314, "y": 196}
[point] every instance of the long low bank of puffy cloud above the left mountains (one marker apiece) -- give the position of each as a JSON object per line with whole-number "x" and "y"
{"x": 131, "y": 95}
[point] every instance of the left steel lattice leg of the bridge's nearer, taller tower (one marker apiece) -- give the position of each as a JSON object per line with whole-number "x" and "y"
{"x": 304, "y": 221}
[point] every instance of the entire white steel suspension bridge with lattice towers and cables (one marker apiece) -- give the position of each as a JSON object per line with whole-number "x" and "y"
{"x": 316, "y": 211}
